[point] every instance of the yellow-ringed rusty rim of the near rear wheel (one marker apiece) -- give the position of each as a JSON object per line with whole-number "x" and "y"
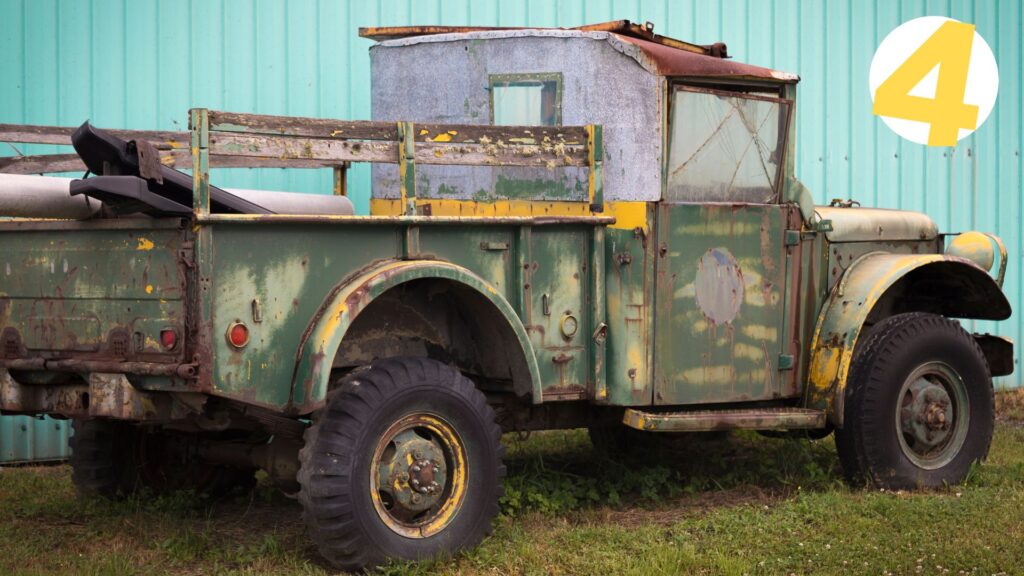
{"x": 418, "y": 476}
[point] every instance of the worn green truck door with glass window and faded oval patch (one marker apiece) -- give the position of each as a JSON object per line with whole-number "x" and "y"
{"x": 727, "y": 254}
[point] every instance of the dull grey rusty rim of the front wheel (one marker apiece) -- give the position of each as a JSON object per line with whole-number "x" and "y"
{"x": 933, "y": 416}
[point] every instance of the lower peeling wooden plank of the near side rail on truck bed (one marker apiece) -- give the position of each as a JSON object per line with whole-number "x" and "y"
{"x": 284, "y": 148}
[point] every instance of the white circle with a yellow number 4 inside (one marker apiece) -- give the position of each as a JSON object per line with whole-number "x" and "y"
{"x": 934, "y": 80}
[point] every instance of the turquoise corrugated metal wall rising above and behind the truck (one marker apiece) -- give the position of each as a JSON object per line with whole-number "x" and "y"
{"x": 144, "y": 64}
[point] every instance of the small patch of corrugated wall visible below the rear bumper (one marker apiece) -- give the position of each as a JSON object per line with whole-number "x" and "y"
{"x": 25, "y": 439}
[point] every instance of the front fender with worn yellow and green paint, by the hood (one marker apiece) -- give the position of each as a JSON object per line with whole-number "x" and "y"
{"x": 956, "y": 287}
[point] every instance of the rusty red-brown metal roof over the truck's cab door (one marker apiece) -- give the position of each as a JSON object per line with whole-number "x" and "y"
{"x": 665, "y": 61}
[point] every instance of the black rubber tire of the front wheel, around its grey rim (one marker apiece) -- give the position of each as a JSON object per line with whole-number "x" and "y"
{"x": 869, "y": 444}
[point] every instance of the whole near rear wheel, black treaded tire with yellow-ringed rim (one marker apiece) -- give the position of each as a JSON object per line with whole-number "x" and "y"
{"x": 404, "y": 463}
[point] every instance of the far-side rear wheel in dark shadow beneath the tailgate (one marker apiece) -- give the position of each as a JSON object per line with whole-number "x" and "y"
{"x": 112, "y": 459}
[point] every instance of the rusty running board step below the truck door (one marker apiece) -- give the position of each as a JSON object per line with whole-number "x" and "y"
{"x": 704, "y": 421}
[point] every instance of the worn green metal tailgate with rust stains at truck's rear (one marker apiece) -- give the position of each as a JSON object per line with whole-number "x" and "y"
{"x": 93, "y": 291}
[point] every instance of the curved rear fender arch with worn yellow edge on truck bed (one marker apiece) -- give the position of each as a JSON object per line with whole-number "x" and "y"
{"x": 344, "y": 305}
